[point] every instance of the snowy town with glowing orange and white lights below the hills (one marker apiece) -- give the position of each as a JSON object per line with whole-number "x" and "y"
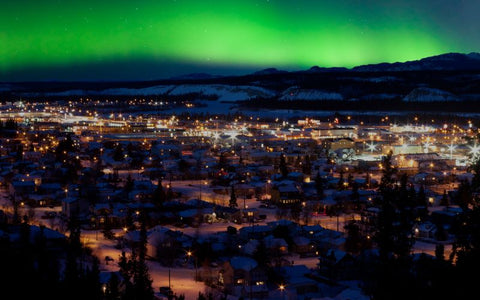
{"x": 232, "y": 206}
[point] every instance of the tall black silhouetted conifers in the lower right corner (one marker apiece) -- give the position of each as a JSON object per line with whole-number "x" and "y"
{"x": 397, "y": 273}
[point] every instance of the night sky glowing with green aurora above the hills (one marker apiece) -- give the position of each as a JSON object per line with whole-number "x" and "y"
{"x": 148, "y": 39}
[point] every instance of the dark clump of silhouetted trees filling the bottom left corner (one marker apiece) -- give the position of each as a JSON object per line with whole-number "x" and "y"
{"x": 32, "y": 269}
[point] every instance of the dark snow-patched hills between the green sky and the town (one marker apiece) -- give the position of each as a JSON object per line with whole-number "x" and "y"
{"x": 452, "y": 78}
